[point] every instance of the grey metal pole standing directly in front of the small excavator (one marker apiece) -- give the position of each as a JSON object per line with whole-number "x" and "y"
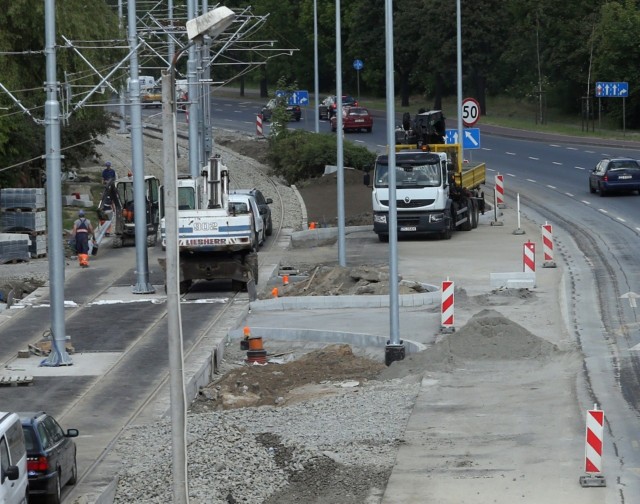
{"x": 139, "y": 198}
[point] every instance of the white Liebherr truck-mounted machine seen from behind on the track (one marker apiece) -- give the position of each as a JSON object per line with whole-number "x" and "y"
{"x": 217, "y": 238}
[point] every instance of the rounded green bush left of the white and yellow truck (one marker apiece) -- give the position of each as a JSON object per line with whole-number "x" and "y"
{"x": 299, "y": 155}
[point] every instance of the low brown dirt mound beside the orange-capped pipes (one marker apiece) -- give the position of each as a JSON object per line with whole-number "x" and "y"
{"x": 314, "y": 374}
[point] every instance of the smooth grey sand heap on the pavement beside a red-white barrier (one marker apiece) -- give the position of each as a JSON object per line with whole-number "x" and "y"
{"x": 487, "y": 336}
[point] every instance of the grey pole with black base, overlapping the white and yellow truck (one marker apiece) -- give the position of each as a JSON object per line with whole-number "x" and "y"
{"x": 395, "y": 349}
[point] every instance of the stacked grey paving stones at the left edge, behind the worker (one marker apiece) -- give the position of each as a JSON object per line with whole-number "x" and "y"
{"x": 22, "y": 213}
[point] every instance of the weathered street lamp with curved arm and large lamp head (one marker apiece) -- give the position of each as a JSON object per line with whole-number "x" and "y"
{"x": 211, "y": 24}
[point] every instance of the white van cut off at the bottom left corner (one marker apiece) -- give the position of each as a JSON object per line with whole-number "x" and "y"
{"x": 14, "y": 482}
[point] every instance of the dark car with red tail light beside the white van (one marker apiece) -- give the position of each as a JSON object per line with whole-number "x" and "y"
{"x": 51, "y": 455}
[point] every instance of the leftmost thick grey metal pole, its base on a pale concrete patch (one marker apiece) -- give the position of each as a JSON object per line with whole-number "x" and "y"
{"x": 58, "y": 355}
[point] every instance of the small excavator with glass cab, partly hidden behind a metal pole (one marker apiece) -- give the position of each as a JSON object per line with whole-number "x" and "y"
{"x": 116, "y": 205}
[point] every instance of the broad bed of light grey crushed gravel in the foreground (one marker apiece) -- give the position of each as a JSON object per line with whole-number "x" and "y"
{"x": 250, "y": 455}
